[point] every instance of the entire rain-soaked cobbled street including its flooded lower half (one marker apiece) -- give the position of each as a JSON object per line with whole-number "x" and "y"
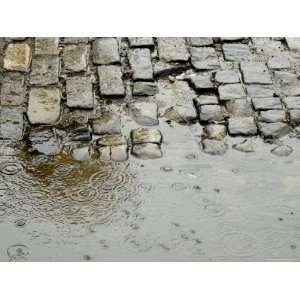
{"x": 185, "y": 156}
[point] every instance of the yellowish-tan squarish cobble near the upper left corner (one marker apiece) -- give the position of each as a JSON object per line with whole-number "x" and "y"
{"x": 17, "y": 57}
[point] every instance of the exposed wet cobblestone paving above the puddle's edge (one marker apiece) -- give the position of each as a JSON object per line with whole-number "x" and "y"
{"x": 81, "y": 93}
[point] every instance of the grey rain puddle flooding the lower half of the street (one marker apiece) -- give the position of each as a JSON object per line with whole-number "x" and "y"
{"x": 186, "y": 206}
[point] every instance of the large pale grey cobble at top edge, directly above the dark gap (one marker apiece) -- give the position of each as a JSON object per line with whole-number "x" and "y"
{"x": 172, "y": 49}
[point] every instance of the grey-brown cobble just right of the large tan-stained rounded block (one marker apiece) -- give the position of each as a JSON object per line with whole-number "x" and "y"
{"x": 79, "y": 92}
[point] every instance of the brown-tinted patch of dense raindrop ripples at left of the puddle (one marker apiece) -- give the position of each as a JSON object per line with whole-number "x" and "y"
{"x": 63, "y": 190}
